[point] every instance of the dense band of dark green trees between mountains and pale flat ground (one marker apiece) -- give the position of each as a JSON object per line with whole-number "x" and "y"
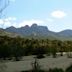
{"x": 18, "y": 47}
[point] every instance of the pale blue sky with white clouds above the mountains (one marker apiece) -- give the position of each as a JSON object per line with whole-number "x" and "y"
{"x": 55, "y": 14}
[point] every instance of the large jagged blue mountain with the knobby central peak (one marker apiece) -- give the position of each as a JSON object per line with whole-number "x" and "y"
{"x": 34, "y": 31}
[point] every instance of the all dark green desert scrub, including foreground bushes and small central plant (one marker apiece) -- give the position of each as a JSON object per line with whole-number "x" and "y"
{"x": 14, "y": 49}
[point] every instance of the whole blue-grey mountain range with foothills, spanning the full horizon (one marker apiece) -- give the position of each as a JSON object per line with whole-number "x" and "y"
{"x": 36, "y": 31}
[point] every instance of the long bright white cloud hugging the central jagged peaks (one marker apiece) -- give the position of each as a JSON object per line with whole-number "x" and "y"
{"x": 30, "y": 22}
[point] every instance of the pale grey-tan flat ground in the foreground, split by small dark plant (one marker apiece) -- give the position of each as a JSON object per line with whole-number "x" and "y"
{"x": 45, "y": 63}
